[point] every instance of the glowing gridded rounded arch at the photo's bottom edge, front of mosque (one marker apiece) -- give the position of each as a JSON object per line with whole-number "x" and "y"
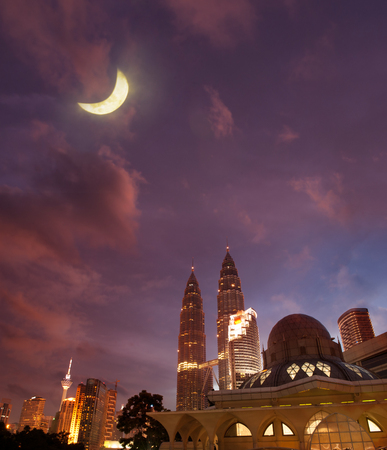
{"x": 340, "y": 431}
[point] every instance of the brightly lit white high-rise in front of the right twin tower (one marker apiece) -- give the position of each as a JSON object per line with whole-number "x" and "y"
{"x": 243, "y": 336}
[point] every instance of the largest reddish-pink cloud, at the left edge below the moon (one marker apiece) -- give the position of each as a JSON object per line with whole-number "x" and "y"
{"x": 74, "y": 197}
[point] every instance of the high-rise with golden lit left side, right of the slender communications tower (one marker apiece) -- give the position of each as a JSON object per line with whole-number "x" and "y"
{"x": 91, "y": 414}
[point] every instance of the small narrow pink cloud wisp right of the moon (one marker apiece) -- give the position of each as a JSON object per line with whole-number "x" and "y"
{"x": 220, "y": 117}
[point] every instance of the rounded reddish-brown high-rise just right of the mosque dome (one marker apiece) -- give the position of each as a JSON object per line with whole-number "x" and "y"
{"x": 355, "y": 327}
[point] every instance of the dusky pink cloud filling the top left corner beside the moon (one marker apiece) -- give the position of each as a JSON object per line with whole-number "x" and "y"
{"x": 62, "y": 39}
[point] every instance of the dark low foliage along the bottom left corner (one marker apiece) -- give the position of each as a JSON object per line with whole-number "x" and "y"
{"x": 35, "y": 440}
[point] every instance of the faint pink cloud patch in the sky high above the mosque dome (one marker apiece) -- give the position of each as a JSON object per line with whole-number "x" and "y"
{"x": 328, "y": 201}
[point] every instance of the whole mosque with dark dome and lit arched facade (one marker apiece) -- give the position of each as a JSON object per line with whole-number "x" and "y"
{"x": 306, "y": 398}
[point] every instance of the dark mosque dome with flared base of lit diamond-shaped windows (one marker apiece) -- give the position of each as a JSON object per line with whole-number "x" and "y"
{"x": 300, "y": 347}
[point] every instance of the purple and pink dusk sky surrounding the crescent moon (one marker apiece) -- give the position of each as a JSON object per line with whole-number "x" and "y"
{"x": 262, "y": 122}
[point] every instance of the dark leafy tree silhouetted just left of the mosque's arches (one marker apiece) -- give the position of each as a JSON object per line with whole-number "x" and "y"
{"x": 144, "y": 432}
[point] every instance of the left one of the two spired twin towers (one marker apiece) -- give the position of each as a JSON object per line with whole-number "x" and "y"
{"x": 191, "y": 392}
